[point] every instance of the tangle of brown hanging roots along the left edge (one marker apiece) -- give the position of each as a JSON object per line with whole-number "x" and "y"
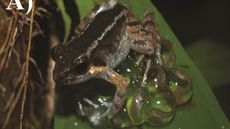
{"x": 23, "y": 83}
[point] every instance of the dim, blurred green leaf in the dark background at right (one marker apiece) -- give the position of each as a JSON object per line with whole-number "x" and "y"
{"x": 213, "y": 60}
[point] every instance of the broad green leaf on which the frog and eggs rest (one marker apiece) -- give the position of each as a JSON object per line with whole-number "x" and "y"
{"x": 203, "y": 112}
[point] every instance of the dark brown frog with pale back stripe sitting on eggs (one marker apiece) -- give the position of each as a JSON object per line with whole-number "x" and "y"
{"x": 102, "y": 42}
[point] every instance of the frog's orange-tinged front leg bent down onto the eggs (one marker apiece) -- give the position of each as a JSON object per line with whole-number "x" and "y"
{"x": 117, "y": 80}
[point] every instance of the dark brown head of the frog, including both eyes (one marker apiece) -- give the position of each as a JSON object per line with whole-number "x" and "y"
{"x": 70, "y": 66}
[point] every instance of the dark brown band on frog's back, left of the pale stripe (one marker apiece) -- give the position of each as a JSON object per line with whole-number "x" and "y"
{"x": 96, "y": 29}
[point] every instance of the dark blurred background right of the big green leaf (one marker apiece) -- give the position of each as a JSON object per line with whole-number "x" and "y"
{"x": 195, "y": 22}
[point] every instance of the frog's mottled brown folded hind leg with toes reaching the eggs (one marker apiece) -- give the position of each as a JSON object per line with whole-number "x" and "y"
{"x": 146, "y": 39}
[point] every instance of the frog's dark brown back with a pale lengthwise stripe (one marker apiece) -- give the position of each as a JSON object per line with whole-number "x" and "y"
{"x": 102, "y": 32}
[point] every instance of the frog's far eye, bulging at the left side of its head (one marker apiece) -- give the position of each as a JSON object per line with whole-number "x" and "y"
{"x": 56, "y": 53}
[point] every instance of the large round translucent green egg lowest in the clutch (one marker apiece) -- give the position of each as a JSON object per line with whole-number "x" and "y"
{"x": 159, "y": 109}
